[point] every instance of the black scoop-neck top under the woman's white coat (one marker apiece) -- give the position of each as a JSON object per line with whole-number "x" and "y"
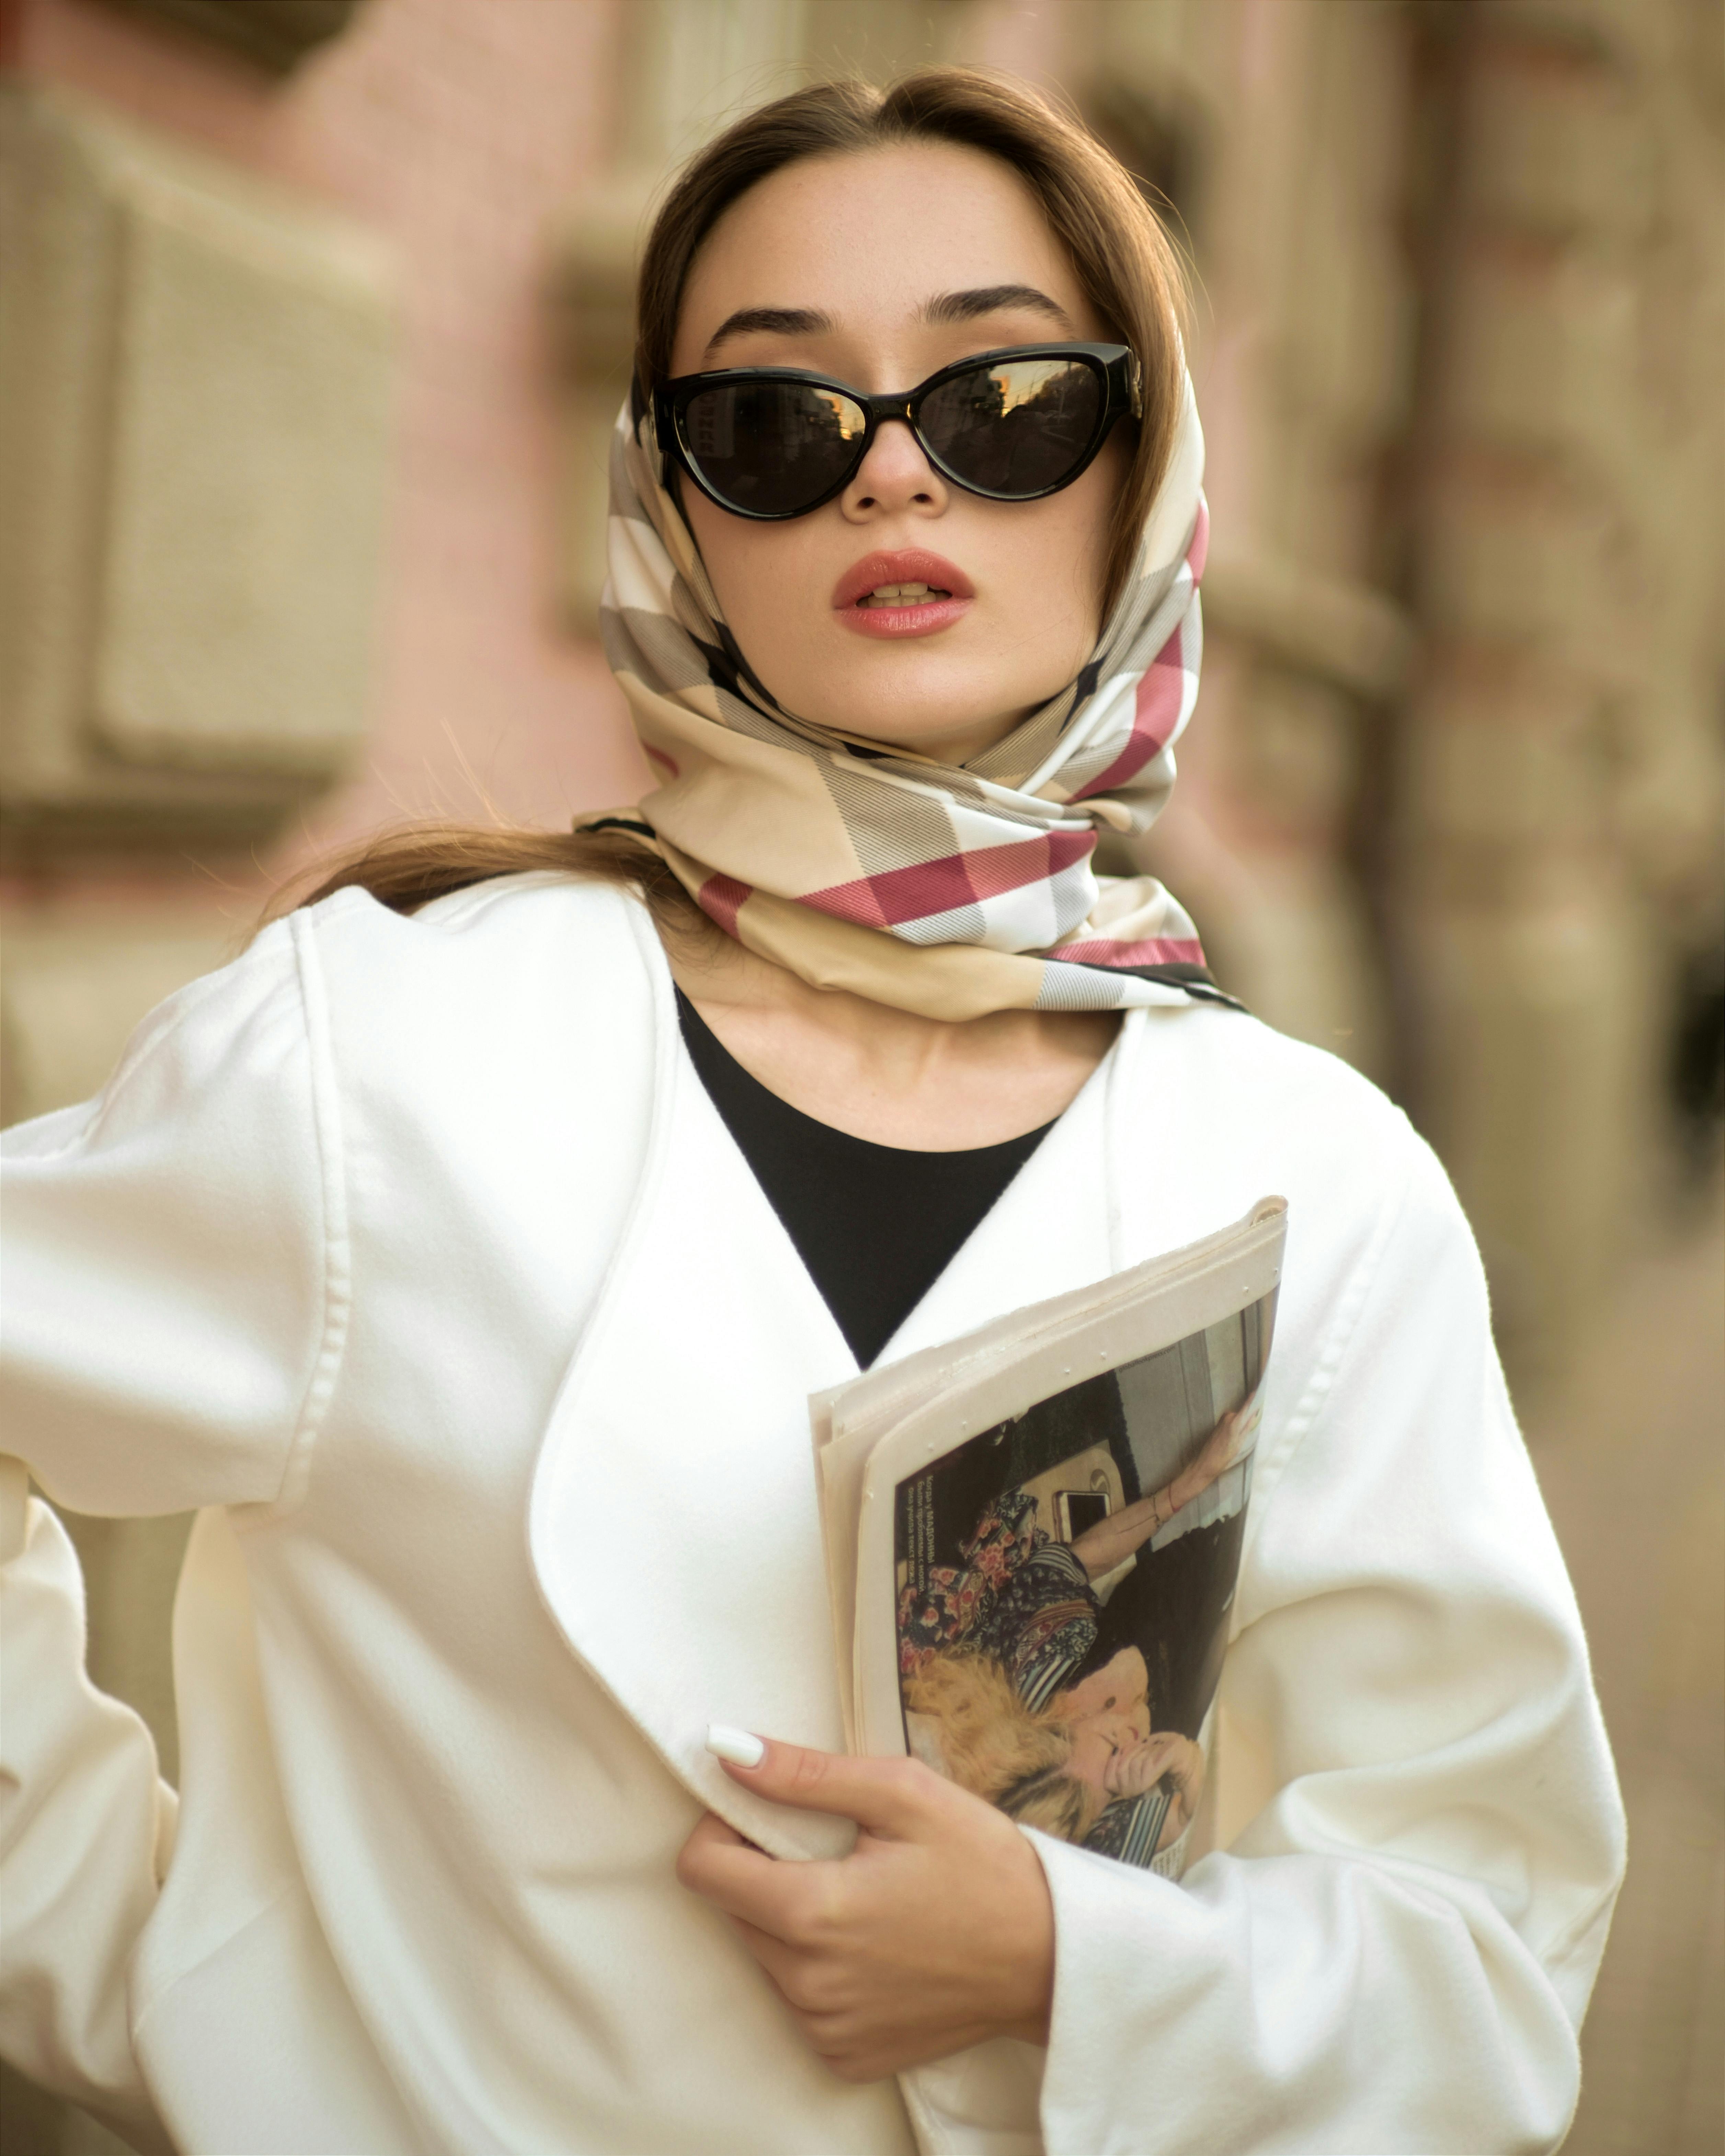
{"x": 877, "y": 1226}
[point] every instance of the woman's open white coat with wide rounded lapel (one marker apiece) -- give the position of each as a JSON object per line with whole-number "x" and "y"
{"x": 417, "y": 1258}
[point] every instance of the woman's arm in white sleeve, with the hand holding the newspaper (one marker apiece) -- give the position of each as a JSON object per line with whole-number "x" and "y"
{"x": 1396, "y": 1954}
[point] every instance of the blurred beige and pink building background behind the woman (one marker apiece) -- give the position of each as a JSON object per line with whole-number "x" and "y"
{"x": 314, "y": 316}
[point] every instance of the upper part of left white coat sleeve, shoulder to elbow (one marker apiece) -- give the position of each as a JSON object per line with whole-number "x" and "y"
{"x": 174, "y": 1260}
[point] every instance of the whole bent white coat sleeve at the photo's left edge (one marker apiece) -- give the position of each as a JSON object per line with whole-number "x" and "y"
{"x": 171, "y": 1314}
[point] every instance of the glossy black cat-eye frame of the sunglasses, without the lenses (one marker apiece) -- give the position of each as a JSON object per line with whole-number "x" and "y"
{"x": 1114, "y": 363}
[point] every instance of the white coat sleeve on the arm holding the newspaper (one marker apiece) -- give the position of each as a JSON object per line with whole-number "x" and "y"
{"x": 1396, "y": 1952}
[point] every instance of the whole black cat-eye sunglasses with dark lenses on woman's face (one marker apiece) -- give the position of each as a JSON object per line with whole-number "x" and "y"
{"x": 1012, "y": 426}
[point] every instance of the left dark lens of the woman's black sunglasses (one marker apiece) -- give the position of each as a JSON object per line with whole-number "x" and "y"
{"x": 773, "y": 447}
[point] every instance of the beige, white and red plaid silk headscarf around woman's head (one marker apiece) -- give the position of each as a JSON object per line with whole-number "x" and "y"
{"x": 939, "y": 889}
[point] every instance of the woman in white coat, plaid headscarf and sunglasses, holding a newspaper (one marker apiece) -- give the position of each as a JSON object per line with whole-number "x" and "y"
{"x": 469, "y": 1249}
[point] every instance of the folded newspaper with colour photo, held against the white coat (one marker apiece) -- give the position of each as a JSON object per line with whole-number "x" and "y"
{"x": 1034, "y": 1540}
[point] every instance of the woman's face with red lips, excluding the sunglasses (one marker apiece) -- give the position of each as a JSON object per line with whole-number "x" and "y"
{"x": 879, "y": 271}
